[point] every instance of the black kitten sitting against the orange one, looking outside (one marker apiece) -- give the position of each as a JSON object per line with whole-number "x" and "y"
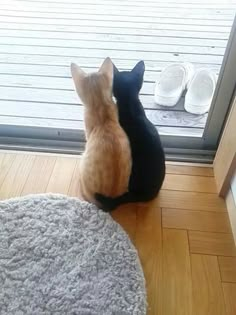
{"x": 148, "y": 169}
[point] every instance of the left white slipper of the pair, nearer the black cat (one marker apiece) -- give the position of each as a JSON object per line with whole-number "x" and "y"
{"x": 172, "y": 82}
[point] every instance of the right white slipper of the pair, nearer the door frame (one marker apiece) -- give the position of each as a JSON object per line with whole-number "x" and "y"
{"x": 200, "y": 92}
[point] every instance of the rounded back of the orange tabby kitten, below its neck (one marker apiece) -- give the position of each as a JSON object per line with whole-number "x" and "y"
{"x": 106, "y": 163}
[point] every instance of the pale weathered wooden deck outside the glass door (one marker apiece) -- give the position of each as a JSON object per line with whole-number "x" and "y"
{"x": 40, "y": 38}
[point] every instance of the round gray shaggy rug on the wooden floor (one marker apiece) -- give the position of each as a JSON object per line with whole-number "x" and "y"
{"x": 59, "y": 255}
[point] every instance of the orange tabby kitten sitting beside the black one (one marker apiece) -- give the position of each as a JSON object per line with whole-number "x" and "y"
{"x": 105, "y": 165}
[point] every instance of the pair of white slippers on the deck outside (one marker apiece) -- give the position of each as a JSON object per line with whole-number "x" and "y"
{"x": 176, "y": 78}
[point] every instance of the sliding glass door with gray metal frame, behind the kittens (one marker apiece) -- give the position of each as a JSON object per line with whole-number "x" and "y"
{"x": 39, "y": 108}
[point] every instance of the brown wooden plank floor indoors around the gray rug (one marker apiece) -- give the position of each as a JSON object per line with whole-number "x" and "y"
{"x": 183, "y": 237}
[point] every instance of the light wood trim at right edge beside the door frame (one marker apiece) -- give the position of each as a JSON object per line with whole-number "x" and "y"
{"x": 225, "y": 160}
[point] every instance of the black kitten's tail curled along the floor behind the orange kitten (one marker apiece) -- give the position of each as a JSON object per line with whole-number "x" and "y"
{"x": 110, "y": 203}
